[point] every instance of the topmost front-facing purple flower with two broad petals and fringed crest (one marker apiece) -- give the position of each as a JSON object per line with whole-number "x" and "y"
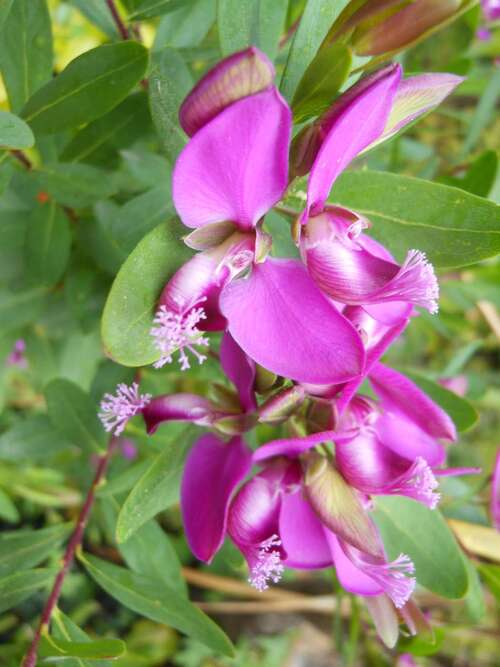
{"x": 232, "y": 171}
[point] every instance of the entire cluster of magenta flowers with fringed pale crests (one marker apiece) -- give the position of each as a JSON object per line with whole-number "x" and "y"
{"x": 300, "y": 336}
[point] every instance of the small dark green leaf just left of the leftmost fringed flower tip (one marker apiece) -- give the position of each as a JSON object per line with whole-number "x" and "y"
{"x": 74, "y": 415}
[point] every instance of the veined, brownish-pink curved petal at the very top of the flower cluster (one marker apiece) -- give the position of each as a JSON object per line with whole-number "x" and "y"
{"x": 239, "y": 75}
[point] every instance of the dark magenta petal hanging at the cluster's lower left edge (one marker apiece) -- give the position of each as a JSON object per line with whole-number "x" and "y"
{"x": 212, "y": 472}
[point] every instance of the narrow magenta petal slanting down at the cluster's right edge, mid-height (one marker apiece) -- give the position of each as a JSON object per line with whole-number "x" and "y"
{"x": 399, "y": 394}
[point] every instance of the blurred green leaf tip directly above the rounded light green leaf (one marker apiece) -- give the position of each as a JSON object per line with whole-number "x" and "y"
{"x": 141, "y": 215}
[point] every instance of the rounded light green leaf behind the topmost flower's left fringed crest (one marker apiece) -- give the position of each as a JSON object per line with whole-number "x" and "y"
{"x": 129, "y": 311}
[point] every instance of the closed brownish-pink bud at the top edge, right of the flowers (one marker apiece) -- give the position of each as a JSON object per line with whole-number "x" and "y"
{"x": 393, "y": 30}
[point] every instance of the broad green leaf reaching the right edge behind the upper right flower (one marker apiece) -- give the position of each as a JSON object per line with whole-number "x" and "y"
{"x": 452, "y": 227}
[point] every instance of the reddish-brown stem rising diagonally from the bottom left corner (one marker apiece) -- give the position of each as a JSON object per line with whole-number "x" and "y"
{"x": 69, "y": 555}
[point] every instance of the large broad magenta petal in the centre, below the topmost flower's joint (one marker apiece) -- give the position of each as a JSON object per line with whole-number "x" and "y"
{"x": 282, "y": 321}
